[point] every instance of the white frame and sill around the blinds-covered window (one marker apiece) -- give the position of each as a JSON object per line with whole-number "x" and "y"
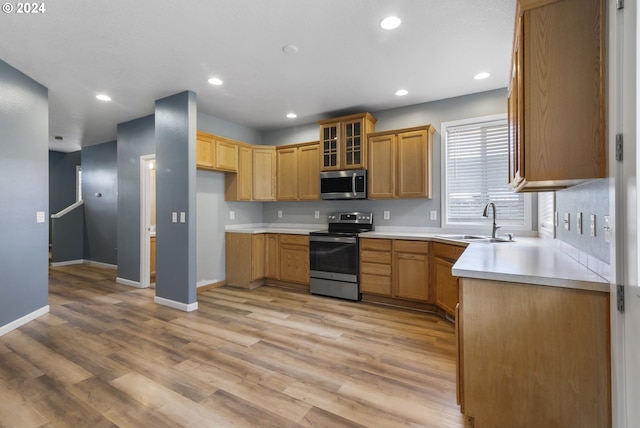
{"x": 508, "y": 225}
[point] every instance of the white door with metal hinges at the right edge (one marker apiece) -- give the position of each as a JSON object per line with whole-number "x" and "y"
{"x": 623, "y": 119}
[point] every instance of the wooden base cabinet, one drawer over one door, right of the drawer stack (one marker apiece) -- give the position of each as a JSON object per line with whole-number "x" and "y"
{"x": 410, "y": 270}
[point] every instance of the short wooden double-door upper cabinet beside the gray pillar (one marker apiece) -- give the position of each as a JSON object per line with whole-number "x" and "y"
{"x": 216, "y": 153}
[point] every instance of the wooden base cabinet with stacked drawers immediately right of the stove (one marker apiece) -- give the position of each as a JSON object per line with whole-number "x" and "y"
{"x": 375, "y": 266}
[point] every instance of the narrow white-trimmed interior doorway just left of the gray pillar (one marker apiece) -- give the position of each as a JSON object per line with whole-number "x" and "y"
{"x": 147, "y": 220}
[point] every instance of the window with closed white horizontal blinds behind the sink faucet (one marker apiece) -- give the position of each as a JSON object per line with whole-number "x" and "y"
{"x": 476, "y": 170}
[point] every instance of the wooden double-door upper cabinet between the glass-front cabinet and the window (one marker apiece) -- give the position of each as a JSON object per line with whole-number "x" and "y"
{"x": 400, "y": 163}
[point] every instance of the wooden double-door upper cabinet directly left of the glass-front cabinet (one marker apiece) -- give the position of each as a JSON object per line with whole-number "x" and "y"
{"x": 298, "y": 169}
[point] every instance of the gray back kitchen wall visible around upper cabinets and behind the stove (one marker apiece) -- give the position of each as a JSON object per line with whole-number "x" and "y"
{"x": 409, "y": 213}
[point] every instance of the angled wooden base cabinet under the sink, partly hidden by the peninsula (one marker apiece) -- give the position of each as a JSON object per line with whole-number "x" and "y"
{"x": 445, "y": 284}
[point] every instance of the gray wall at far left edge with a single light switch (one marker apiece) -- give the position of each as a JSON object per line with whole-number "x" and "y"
{"x": 24, "y": 170}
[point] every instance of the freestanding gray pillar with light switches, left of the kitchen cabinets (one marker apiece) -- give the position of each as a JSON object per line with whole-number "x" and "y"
{"x": 175, "y": 135}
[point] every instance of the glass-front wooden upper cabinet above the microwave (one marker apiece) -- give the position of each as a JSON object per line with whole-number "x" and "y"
{"x": 343, "y": 141}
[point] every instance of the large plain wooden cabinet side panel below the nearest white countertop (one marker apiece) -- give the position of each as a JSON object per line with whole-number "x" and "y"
{"x": 533, "y": 356}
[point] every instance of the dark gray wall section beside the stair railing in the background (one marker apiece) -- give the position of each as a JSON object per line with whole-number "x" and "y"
{"x": 100, "y": 177}
